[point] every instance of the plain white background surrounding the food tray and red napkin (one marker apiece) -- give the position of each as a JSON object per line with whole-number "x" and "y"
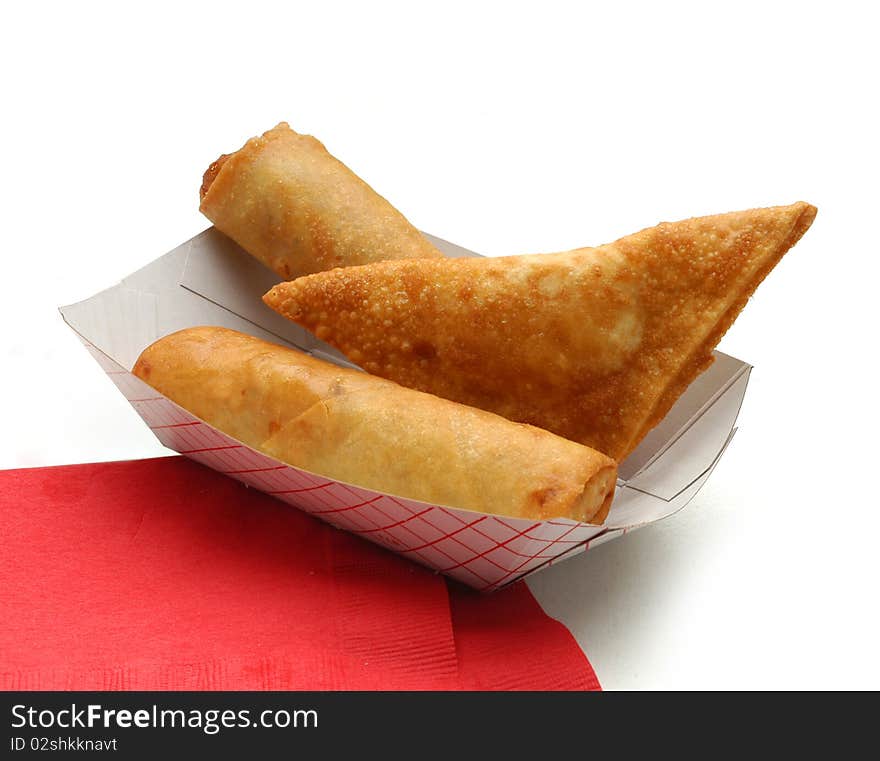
{"x": 507, "y": 129}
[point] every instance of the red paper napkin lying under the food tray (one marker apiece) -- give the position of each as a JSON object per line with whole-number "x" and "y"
{"x": 162, "y": 574}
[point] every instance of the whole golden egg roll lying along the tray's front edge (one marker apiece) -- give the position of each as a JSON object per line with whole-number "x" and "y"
{"x": 354, "y": 427}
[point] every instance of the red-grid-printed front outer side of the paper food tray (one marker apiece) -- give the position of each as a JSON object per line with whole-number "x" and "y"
{"x": 483, "y": 551}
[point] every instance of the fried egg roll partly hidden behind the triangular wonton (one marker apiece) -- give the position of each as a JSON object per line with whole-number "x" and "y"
{"x": 285, "y": 200}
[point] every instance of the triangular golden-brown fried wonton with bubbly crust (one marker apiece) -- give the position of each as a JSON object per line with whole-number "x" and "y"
{"x": 594, "y": 344}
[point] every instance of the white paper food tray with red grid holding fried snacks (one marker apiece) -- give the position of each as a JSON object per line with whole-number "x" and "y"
{"x": 209, "y": 280}
